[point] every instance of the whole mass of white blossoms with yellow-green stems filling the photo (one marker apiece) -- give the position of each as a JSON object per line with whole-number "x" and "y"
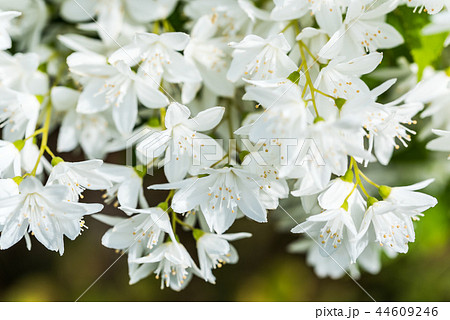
{"x": 174, "y": 85}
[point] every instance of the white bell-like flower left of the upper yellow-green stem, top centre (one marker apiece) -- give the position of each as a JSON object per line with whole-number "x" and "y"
{"x": 258, "y": 59}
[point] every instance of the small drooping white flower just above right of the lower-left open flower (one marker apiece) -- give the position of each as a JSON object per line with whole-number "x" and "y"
{"x": 79, "y": 176}
